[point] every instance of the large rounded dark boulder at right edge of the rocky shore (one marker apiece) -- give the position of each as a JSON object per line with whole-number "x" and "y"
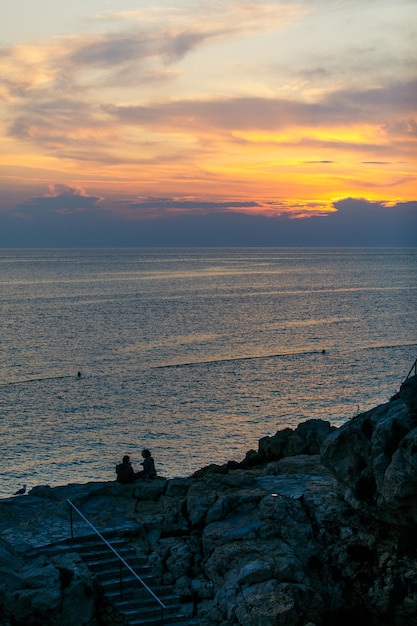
{"x": 373, "y": 457}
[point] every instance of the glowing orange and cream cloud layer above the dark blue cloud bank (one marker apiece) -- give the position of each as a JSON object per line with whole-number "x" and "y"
{"x": 217, "y": 99}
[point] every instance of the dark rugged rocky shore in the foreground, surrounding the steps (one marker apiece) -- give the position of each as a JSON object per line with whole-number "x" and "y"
{"x": 314, "y": 528}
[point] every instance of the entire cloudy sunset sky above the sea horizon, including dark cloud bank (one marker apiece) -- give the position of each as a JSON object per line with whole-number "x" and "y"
{"x": 234, "y": 122}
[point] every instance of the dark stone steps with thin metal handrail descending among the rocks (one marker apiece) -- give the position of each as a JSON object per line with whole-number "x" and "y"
{"x": 132, "y": 603}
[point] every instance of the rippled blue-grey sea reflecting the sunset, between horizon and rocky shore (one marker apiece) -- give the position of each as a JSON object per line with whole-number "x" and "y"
{"x": 194, "y": 353}
